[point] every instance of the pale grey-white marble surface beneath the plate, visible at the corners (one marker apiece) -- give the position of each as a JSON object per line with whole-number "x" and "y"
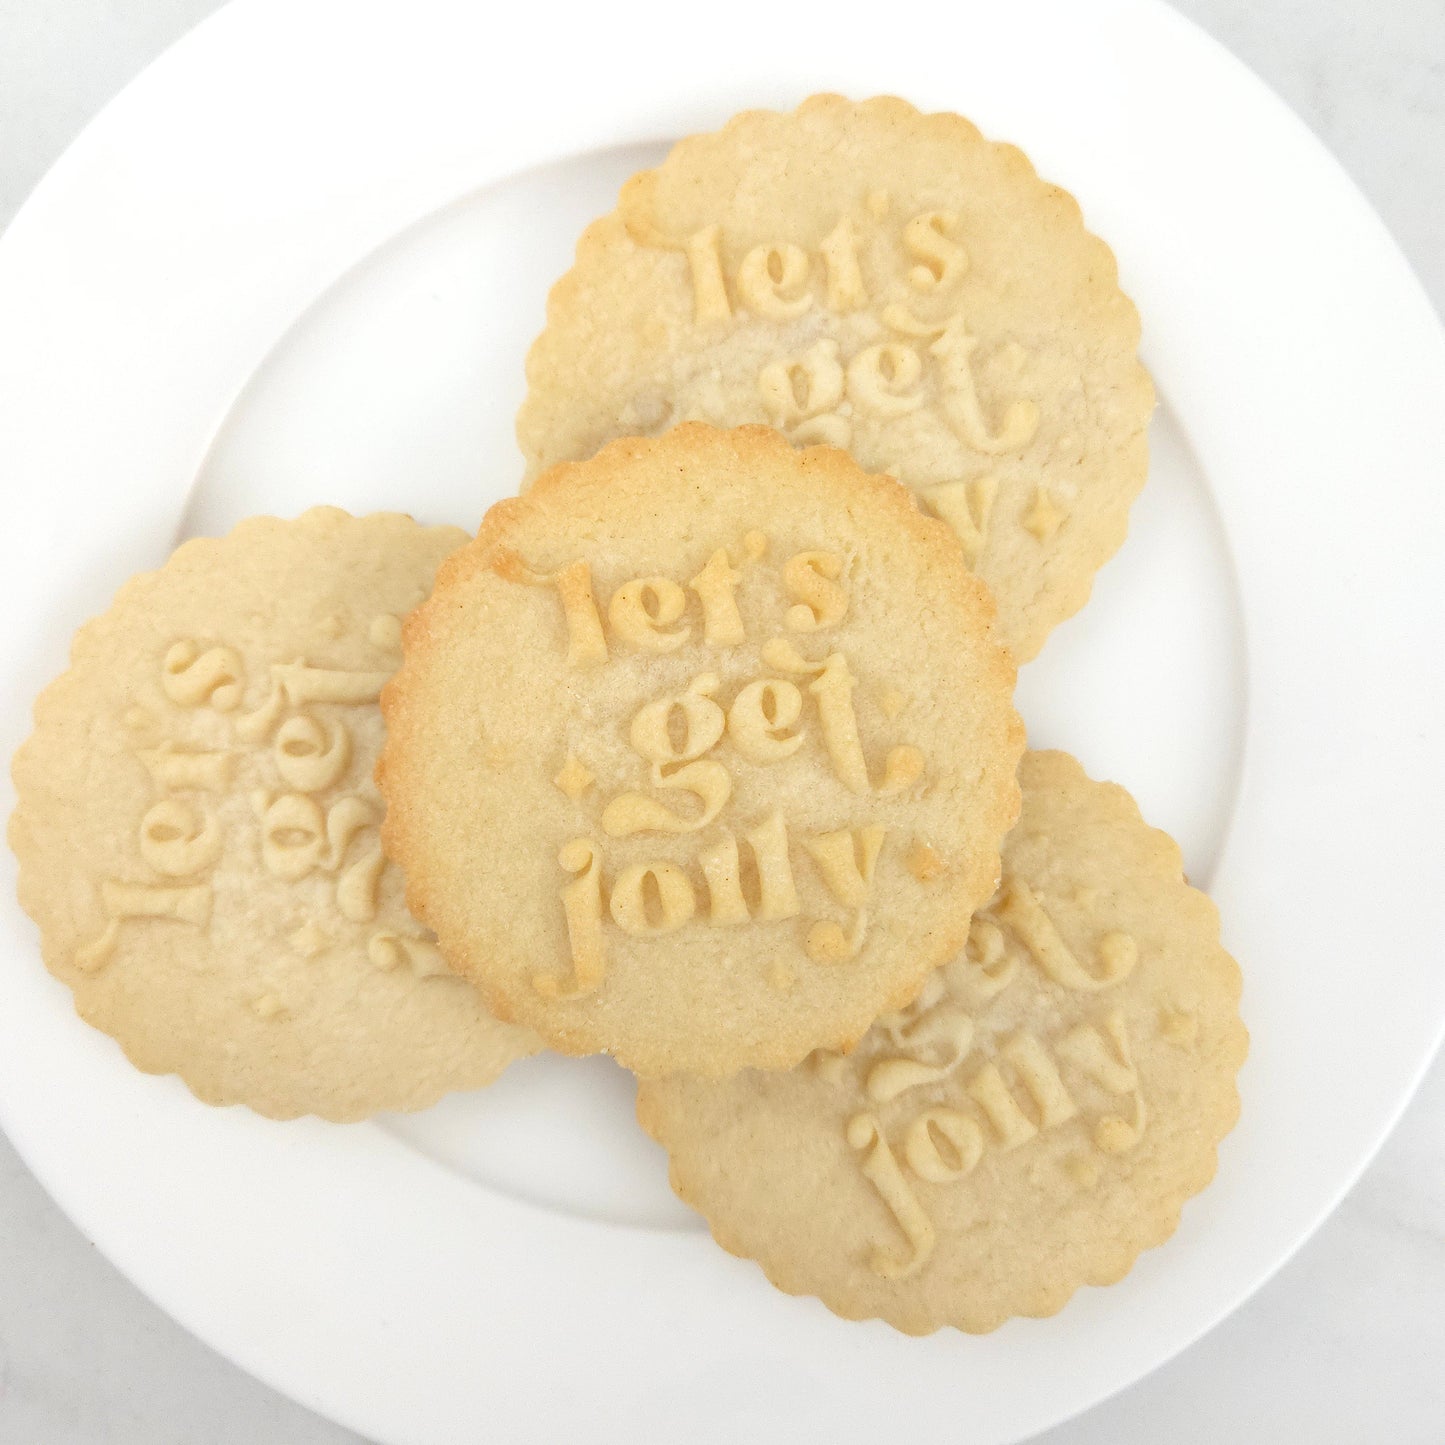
{"x": 1345, "y": 1346}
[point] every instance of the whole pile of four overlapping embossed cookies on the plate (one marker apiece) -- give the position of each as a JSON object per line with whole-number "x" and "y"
{"x": 703, "y": 752}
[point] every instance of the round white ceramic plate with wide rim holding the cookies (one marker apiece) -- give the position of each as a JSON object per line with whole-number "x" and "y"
{"x": 300, "y": 261}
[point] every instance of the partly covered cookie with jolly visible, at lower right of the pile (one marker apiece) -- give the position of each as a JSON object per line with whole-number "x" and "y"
{"x": 1031, "y": 1125}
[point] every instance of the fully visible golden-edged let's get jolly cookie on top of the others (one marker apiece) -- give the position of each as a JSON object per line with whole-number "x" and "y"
{"x": 702, "y": 754}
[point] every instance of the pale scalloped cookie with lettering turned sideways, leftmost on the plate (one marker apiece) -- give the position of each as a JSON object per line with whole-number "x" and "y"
{"x": 199, "y": 829}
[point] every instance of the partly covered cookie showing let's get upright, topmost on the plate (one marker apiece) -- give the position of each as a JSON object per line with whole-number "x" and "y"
{"x": 876, "y": 280}
